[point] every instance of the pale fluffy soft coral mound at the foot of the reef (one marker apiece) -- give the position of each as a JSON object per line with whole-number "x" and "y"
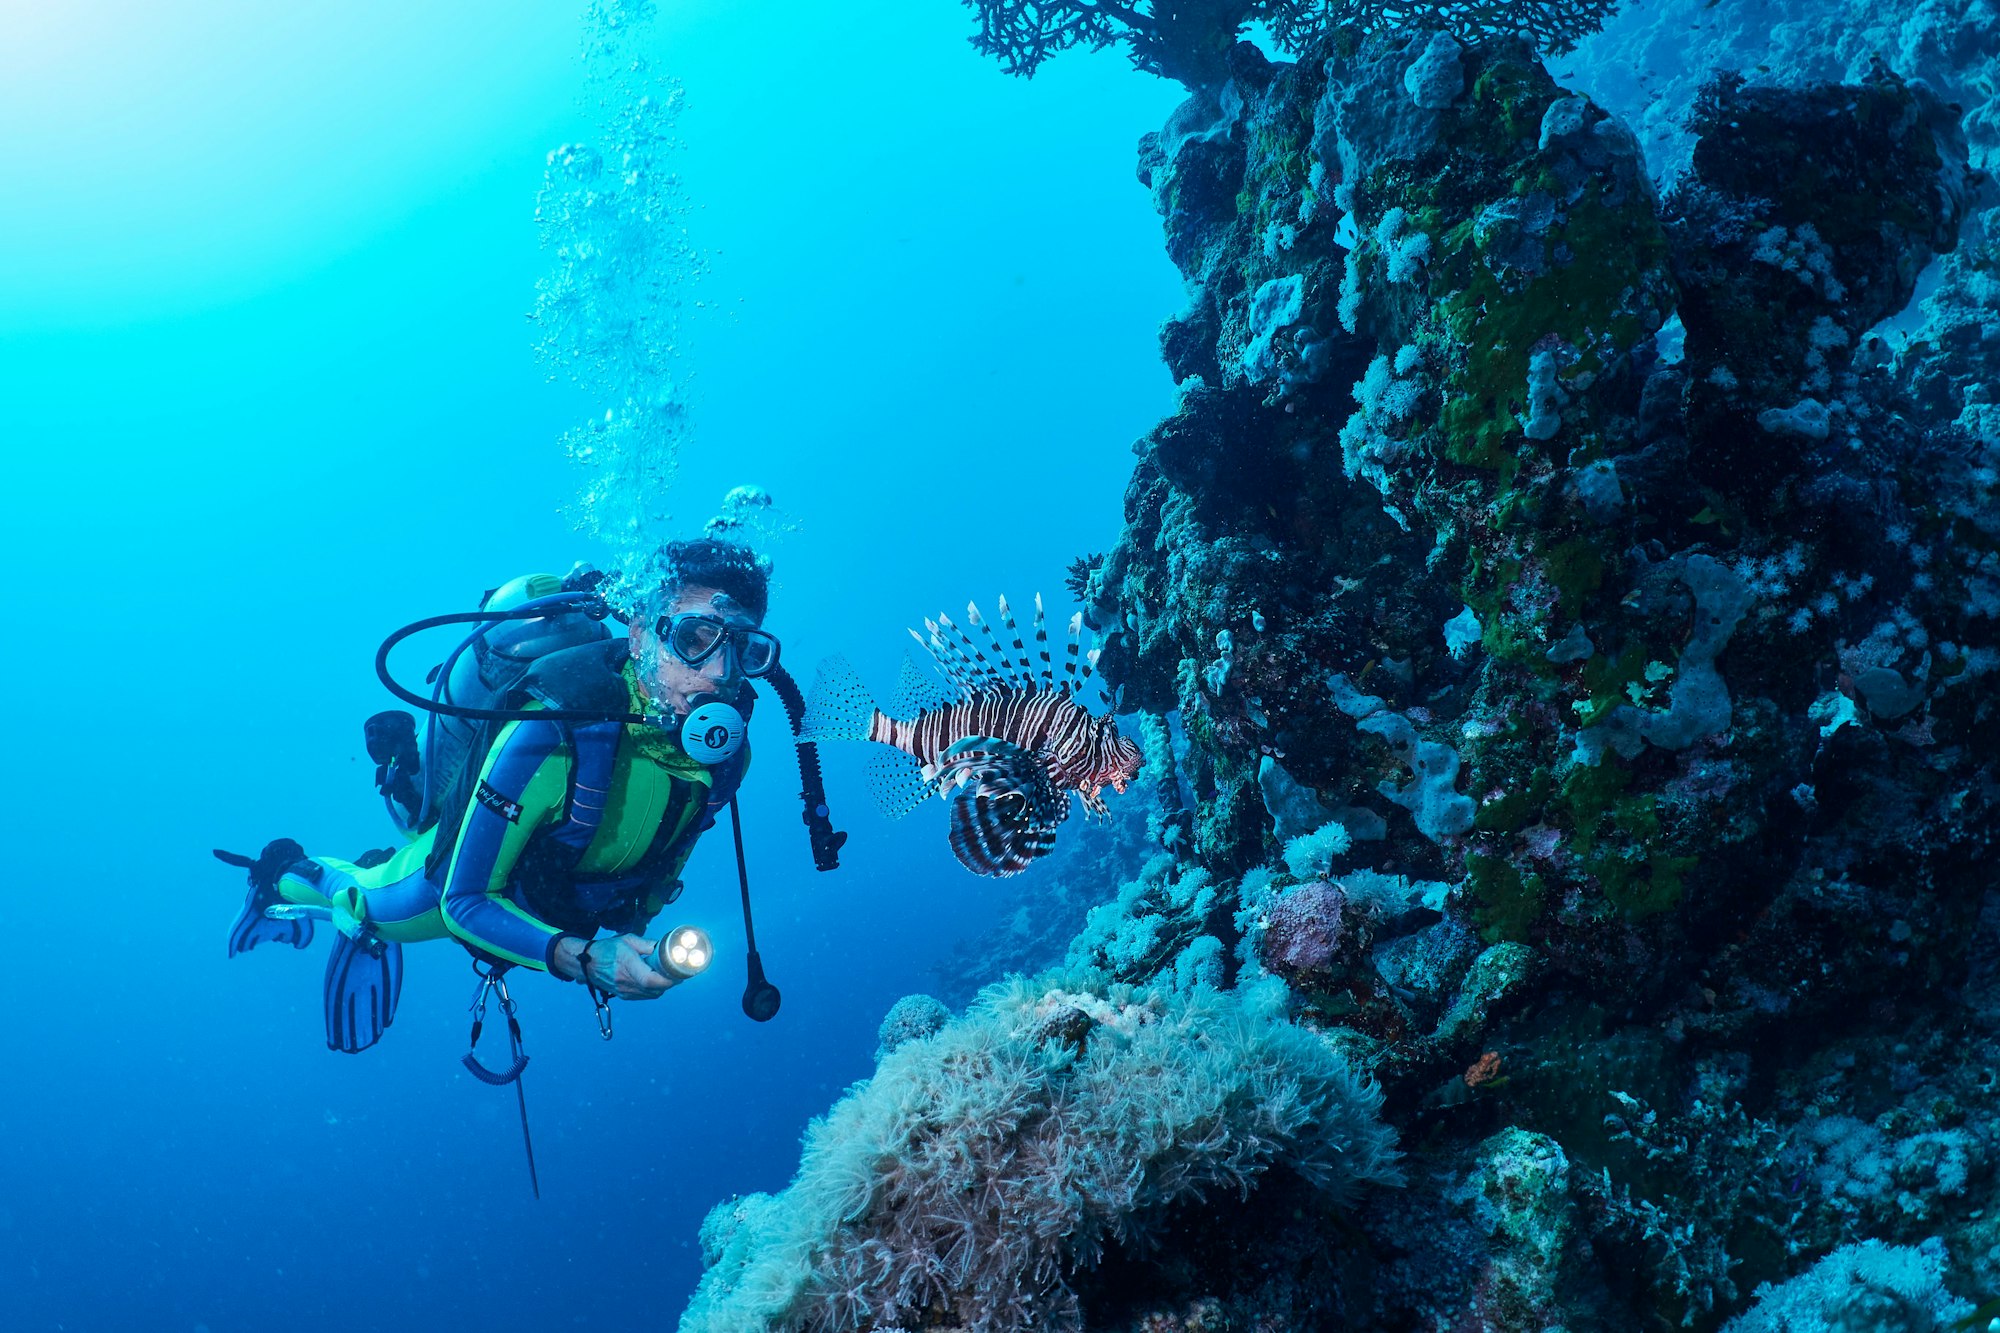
{"x": 985, "y": 1168}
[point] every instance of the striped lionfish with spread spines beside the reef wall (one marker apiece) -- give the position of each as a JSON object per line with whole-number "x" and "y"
{"x": 1005, "y": 748}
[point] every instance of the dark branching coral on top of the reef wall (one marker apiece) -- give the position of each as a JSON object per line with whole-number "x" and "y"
{"x": 1191, "y": 39}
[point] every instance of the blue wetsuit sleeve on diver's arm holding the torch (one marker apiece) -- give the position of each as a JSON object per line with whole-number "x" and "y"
{"x": 521, "y": 788}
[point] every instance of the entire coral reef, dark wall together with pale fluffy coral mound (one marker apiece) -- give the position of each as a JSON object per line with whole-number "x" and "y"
{"x": 1563, "y": 613}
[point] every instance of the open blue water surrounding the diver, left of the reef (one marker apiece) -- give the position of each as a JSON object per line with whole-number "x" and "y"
{"x": 267, "y": 391}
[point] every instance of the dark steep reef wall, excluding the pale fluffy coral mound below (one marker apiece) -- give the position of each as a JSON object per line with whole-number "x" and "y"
{"x": 1565, "y": 547}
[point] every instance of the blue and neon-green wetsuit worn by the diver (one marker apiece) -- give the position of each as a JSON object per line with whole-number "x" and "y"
{"x": 545, "y": 848}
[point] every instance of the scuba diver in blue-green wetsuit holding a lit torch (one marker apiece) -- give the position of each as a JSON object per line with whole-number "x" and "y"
{"x": 565, "y": 778}
